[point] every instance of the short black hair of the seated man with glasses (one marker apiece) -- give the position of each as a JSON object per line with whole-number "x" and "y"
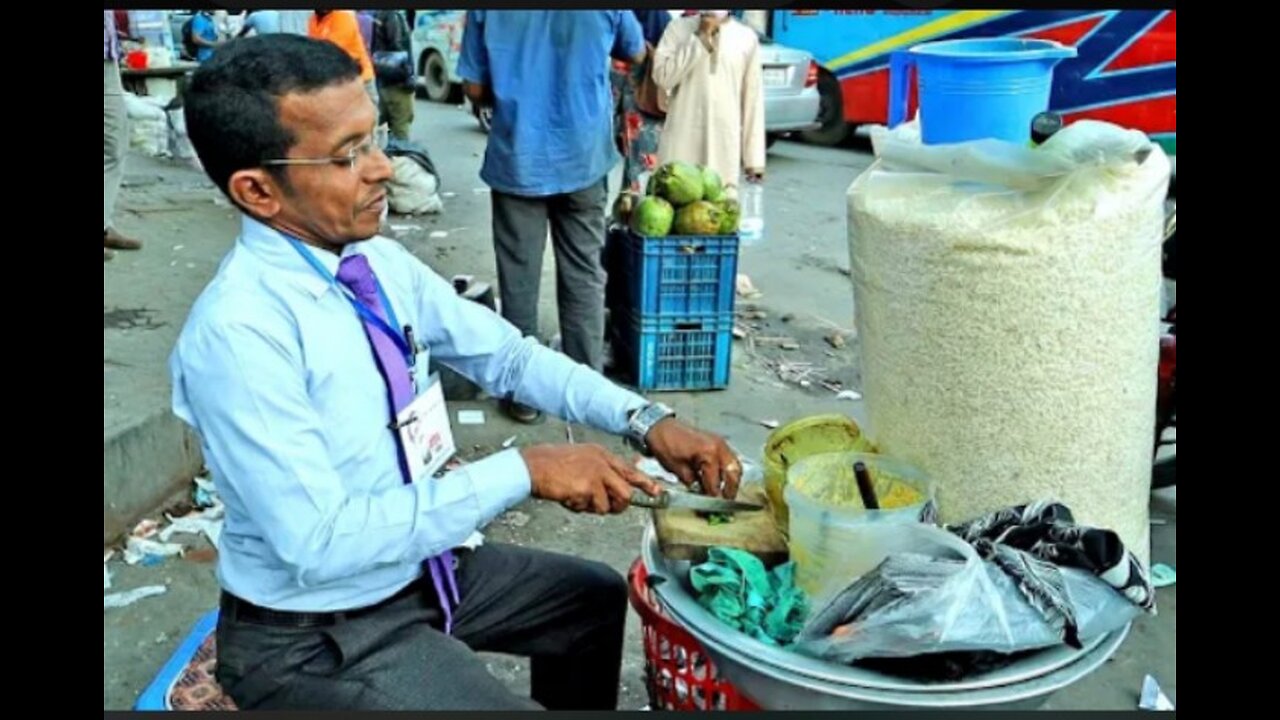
{"x": 232, "y": 104}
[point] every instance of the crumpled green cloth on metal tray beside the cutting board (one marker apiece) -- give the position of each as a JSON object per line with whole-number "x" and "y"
{"x": 737, "y": 589}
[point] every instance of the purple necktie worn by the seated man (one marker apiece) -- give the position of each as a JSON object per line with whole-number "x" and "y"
{"x": 359, "y": 277}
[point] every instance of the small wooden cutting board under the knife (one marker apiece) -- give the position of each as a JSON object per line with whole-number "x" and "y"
{"x": 684, "y": 536}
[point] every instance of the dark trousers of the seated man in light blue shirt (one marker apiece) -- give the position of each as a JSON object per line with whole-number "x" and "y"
{"x": 564, "y": 613}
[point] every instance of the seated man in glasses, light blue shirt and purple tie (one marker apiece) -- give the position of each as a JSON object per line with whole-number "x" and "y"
{"x": 303, "y": 368}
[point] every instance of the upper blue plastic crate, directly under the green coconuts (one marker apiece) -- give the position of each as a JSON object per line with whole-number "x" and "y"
{"x": 679, "y": 276}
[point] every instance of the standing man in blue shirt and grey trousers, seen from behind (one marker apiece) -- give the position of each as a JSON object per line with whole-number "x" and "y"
{"x": 547, "y": 76}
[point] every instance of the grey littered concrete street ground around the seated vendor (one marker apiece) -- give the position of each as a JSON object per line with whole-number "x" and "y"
{"x": 801, "y": 271}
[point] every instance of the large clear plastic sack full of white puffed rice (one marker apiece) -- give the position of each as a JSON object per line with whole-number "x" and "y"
{"x": 1008, "y": 304}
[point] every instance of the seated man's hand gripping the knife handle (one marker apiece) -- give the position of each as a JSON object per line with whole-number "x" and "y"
{"x": 586, "y": 479}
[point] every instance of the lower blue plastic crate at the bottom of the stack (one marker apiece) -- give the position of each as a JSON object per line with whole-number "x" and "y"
{"x": 674, "y": 354}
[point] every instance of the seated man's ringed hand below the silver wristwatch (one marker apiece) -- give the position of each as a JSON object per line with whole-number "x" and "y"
{"x": 697, "y": 458}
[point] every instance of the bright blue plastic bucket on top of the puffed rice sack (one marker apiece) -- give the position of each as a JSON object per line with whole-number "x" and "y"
{"x": 976, "y": 89}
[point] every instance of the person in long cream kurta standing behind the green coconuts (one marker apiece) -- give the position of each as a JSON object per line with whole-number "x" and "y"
{"x": 716, "y": 115}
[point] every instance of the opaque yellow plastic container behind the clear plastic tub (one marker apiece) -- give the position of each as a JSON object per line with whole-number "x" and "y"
{"x": 799, "y": 440}
